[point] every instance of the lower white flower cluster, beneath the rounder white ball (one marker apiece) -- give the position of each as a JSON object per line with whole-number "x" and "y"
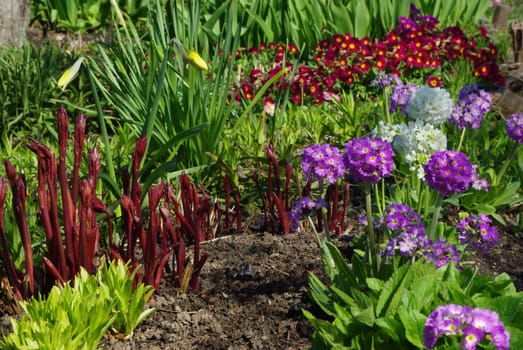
{"x": 415, "y": 141}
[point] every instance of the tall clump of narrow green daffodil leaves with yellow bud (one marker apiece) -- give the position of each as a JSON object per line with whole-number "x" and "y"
{"x": 151, "y": 79}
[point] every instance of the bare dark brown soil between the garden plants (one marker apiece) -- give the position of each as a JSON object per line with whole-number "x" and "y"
{"x": 254, "y": 287}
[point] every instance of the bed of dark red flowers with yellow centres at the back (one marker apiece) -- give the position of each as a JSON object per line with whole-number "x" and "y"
{"x": 416, "y": 46}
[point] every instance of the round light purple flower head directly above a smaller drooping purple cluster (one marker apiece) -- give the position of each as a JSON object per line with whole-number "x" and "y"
{"x": 322, "y": 161}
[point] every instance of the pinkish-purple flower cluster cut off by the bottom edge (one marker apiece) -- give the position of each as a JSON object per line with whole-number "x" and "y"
{"x": 473, "y": 324}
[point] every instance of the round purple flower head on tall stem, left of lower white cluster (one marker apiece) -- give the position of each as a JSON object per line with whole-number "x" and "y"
{"x": 368, "y": 159}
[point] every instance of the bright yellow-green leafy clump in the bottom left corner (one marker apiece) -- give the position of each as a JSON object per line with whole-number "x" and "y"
{"x": 76, "y": 316}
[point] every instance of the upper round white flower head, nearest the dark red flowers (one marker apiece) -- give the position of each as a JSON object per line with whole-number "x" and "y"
{"x": 431, "y": 105}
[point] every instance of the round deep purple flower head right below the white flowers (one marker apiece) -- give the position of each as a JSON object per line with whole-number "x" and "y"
{"x": 449, "y": 172}
